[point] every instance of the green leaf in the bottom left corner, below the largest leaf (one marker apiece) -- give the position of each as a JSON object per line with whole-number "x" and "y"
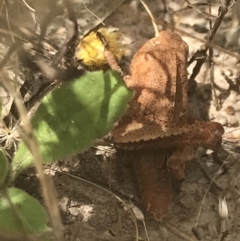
{"x": 29, "y": 215}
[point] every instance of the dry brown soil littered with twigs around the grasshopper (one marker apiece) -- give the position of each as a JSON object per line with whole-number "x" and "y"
{"x": 97, "y": 196}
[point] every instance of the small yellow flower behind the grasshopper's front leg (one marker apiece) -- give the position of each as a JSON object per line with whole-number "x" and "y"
{"x": 90, "y": 49}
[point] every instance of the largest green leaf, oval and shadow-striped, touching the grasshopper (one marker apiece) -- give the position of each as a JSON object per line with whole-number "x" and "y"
{"x": 71, "y": 118}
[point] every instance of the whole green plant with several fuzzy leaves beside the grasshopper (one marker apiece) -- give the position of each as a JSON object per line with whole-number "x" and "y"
{"x": 67, "y": 122}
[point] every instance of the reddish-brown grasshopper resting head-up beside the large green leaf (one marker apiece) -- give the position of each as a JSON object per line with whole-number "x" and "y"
{"x": 157, "y": 118}
